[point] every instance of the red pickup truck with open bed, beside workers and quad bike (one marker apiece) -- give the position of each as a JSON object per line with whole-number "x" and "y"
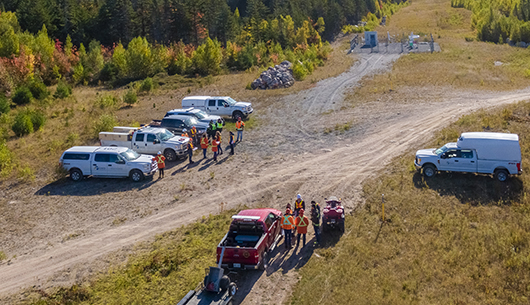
{"x": 252, "y": 235}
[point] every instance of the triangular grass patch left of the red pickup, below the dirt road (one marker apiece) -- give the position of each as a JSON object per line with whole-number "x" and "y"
{"x": 173, "y": 264}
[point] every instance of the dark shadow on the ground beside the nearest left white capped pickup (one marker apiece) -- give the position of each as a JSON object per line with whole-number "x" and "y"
{"x": 94, "y": 186}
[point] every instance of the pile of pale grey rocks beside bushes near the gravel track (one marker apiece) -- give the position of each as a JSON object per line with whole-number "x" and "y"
{"x": 281, "y": 76}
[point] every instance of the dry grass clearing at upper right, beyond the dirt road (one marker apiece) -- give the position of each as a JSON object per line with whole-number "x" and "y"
{"x": 462, "y": 64}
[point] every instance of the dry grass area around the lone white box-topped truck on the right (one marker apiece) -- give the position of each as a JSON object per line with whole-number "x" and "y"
{"x": 453, "y": 239}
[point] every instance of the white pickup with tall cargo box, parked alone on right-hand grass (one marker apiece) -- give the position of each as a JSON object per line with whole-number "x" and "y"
{"x": 474, "y": 152}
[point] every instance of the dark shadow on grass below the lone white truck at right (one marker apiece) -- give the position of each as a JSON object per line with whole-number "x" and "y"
{"x": 472, "y": 188}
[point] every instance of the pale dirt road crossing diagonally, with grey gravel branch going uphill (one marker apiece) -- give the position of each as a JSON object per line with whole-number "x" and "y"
{"x": 290, "y": 153}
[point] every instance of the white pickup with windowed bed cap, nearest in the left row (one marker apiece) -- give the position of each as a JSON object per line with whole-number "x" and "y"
{"x": 106, "y": 162}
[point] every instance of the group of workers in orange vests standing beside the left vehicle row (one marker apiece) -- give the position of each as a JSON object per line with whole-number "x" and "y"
{"x": 212, "y": 137}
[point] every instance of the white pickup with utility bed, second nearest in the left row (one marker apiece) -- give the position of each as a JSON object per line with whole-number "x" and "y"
{"x": 146, "y": 140}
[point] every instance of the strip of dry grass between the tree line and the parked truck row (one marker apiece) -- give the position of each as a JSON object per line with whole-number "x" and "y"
{"x": 76, "y": 120}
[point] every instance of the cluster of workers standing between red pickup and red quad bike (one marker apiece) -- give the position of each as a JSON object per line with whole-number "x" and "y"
{"x": 296, "y": 220}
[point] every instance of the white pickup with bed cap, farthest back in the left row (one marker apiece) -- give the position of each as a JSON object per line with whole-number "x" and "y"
{"x": 223, "y": 106}
